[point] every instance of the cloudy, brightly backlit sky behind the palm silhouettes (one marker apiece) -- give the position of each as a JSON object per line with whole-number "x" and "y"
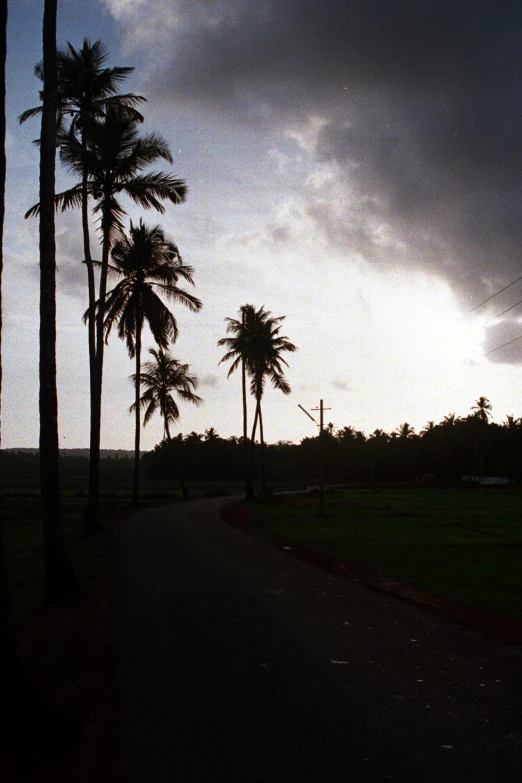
{"x": 354, "y": 166}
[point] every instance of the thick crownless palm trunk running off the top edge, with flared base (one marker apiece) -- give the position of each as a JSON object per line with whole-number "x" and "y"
{"x": 59, "y": 579}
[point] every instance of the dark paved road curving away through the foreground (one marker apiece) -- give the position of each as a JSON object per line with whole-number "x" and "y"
{"x": 241, "y": 663}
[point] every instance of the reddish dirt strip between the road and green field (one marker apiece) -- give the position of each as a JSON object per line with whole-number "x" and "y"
{"x": 494, "y": 625}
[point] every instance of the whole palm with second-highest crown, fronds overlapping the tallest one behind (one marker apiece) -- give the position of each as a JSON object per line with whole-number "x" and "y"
{"x": 116, "y": 160}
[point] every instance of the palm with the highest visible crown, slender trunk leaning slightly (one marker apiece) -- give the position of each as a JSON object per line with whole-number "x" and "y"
{"x": 85, "y": 91}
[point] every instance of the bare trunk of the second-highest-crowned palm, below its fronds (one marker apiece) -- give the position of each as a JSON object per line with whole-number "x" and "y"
{"x": 92, "y": 520}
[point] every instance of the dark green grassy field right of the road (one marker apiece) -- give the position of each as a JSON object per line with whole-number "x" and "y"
{"x": 462, "y": 544}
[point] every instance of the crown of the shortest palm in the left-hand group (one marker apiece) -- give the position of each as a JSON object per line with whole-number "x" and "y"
{"x": 162, "y": 379}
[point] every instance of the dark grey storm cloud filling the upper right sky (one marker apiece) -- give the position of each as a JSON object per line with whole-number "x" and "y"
{"x": 421, "y": 103}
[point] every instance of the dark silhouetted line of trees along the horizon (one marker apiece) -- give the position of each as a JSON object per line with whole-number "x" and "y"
{"x": 442, "y": 452}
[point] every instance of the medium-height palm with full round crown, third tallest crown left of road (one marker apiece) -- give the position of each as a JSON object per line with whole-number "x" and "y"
{"x": 146, "y": 262}
